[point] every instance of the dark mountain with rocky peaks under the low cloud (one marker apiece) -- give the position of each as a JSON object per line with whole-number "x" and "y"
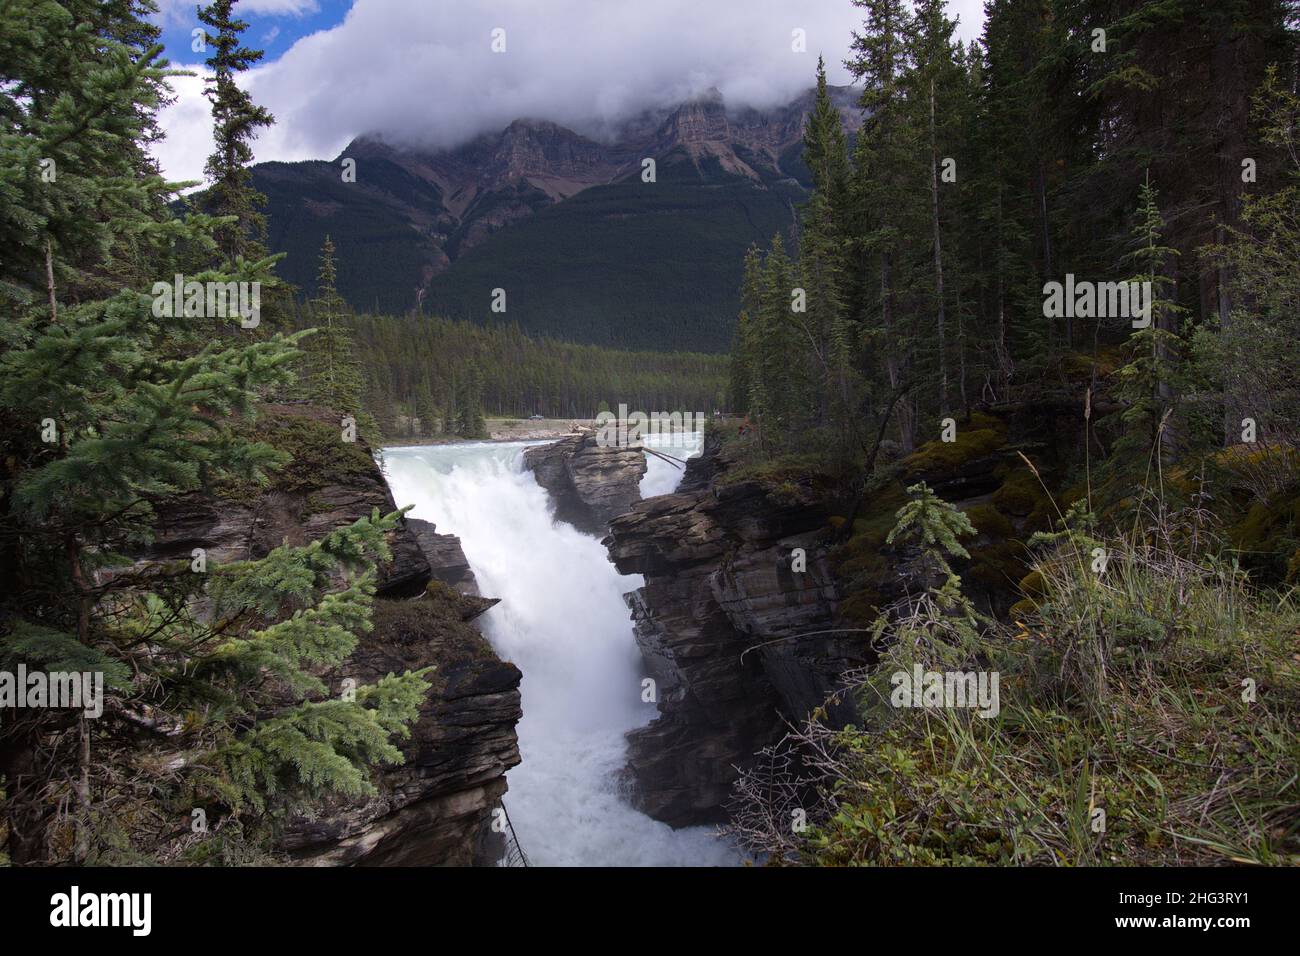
{"x": 584, "y": 249}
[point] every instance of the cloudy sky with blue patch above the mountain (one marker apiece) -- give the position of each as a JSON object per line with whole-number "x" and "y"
{"x": 424, "y": 71}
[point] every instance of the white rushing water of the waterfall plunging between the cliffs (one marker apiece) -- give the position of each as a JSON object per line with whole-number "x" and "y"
{"x": 564, "y": 622}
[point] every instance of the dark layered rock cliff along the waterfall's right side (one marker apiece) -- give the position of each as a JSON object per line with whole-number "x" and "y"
{"x": 722, "y": 624}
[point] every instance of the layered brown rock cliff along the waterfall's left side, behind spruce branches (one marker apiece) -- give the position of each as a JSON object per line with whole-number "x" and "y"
{"x": 436, "y": 807}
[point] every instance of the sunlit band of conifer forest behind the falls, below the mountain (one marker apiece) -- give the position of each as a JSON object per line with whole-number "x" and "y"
{"x": 415, "y": 377}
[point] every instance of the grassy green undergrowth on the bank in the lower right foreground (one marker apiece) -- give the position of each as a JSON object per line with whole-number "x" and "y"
{"x": 1147, "y": 711}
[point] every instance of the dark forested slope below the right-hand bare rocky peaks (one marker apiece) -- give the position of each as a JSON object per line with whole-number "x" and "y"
{"x": 632, "y": 265}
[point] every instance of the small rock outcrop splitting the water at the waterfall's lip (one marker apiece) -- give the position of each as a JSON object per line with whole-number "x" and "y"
{"x": 590, "y": 485}
